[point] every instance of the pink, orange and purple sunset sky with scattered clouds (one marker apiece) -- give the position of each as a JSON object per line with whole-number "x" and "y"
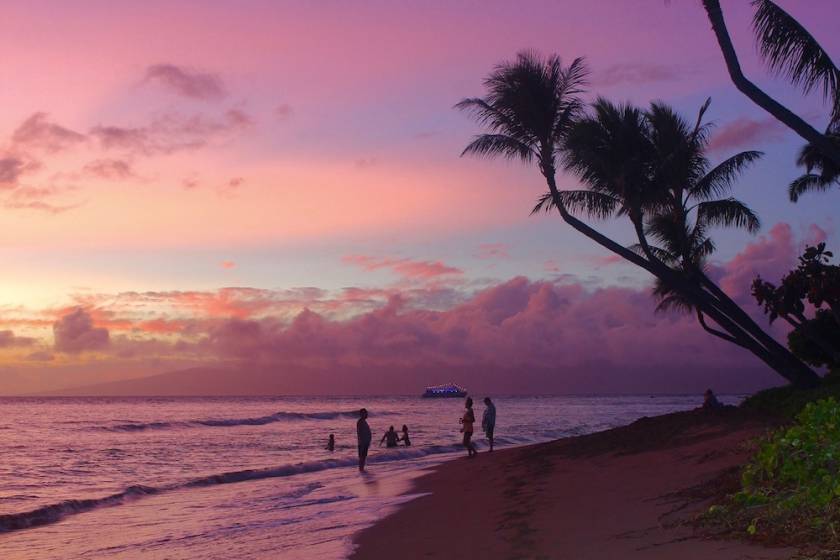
{"x": 279, "y": 183}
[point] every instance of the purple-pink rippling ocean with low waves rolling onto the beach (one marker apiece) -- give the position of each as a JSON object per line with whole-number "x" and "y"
{"x": 179, "y": 478}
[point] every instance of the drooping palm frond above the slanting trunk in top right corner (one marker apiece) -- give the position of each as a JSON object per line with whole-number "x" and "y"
{"x": 789, "y": 49}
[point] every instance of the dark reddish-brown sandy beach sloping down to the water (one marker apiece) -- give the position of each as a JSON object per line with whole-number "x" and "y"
{"x": 622, "y": 493}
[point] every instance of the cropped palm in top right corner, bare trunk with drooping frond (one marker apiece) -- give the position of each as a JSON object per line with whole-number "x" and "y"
{"x": 789, "y": 49}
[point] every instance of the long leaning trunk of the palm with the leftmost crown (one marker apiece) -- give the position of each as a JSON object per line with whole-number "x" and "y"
{"x": 784, "y": 363}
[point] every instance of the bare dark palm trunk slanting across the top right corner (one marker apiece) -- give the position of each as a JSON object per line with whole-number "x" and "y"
{"x": 779, "y": 111}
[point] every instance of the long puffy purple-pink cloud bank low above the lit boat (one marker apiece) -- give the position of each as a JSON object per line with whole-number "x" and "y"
{"x": 518, "y": 325}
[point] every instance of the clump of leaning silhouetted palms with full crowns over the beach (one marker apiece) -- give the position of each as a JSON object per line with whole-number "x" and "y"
{"x": 645, "y": 165}
